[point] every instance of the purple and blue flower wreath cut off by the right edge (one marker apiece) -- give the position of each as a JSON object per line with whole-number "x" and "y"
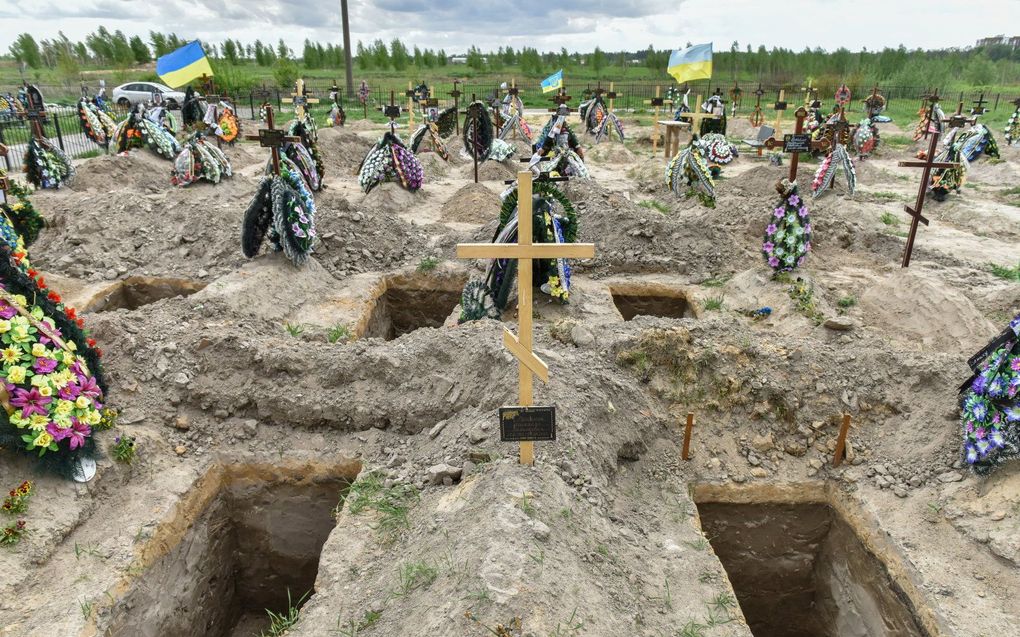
{"x": 990, "y": 403}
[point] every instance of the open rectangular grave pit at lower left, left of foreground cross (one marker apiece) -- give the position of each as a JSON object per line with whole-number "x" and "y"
{"x": 245, "y": 541}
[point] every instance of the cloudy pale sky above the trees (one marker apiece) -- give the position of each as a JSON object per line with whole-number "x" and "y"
{"x": 546, "y": 25}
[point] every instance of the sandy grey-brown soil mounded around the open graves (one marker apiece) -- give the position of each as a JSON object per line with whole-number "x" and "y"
{"x": 603, "y": 536}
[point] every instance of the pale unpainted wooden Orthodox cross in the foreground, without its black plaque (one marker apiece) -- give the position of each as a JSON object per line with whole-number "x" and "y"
{"x": 526, "y": 252}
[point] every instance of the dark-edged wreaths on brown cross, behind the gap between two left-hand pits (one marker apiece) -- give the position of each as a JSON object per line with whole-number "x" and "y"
{"x": 283, "y": 208}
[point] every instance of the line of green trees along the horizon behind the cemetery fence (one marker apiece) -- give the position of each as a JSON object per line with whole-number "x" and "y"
{"x": 997, "y": 65}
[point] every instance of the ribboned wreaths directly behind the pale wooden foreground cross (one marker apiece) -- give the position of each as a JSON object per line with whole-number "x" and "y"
{"x": 555, "y": 222}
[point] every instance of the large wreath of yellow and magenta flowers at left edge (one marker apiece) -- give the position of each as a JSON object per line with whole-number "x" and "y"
{"x": 52, "y": 384}
